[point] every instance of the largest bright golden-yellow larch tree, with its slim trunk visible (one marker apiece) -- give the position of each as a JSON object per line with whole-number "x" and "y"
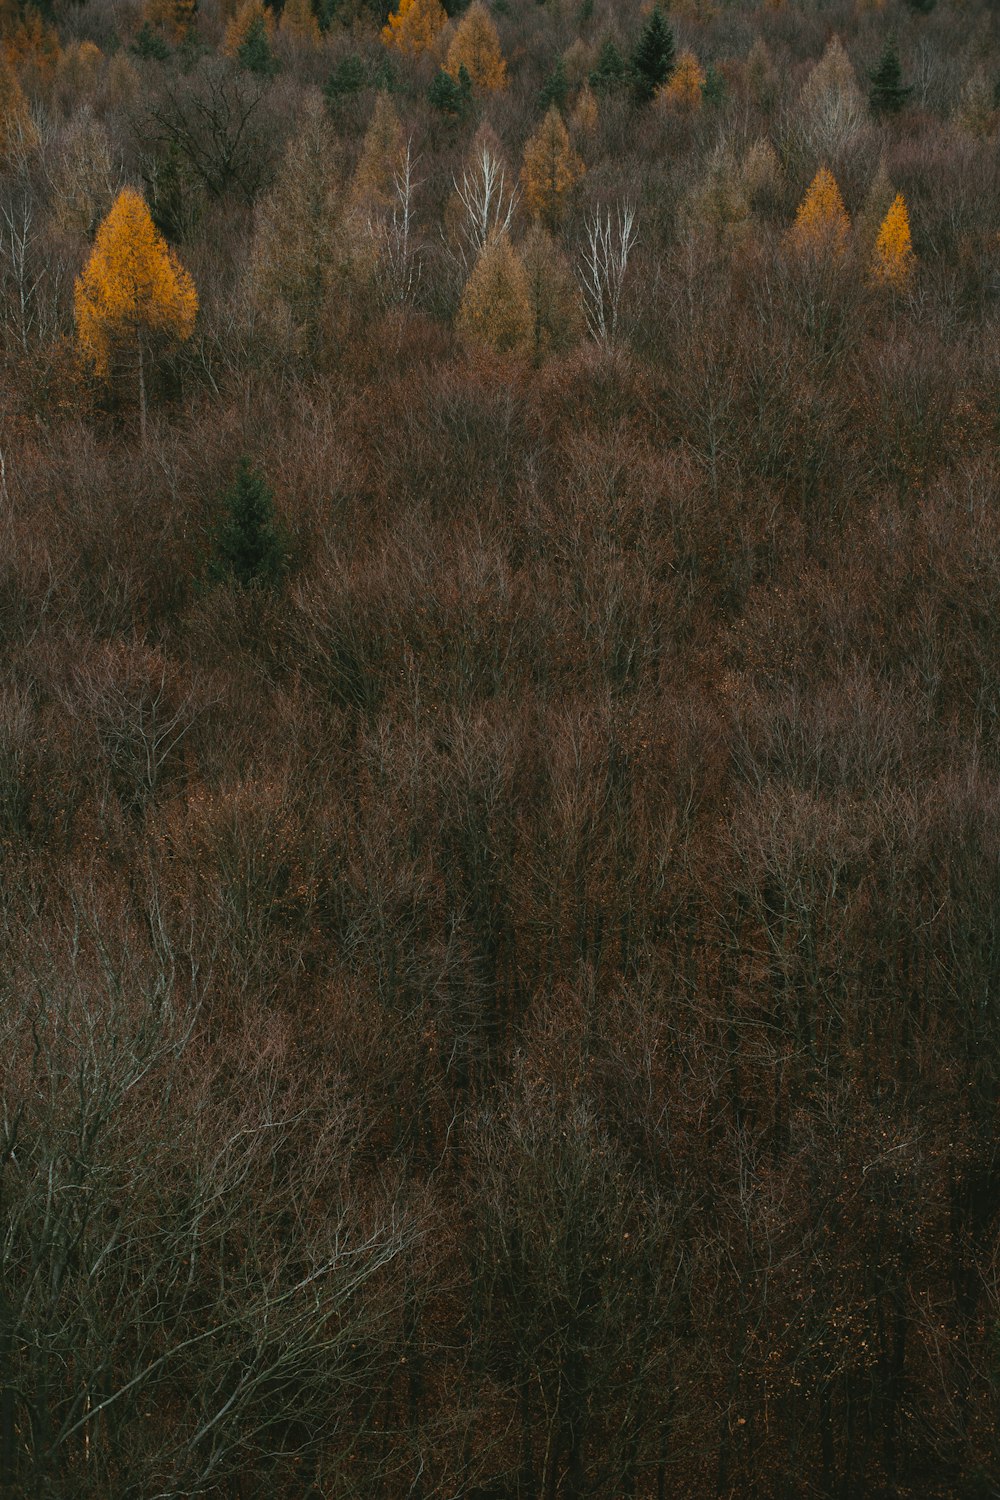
{"x": 134, "y": 296}
